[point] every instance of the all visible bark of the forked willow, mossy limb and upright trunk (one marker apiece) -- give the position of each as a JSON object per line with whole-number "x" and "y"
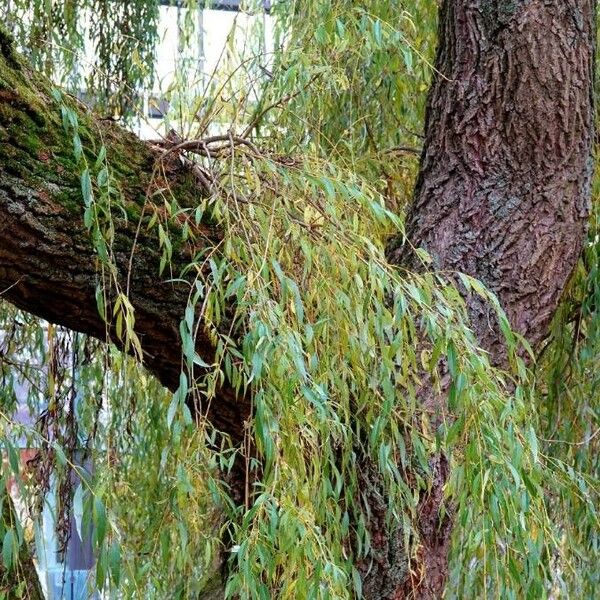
{"x": 502, "y": 195}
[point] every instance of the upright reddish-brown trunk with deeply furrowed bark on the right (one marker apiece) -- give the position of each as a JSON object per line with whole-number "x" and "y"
{"x": 505, "y": 175}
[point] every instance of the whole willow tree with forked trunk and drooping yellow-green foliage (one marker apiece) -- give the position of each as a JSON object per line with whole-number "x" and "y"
{"x": 349, "y": 414}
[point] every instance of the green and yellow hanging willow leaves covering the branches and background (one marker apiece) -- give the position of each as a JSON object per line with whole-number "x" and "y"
{"x": 333, "y": 344}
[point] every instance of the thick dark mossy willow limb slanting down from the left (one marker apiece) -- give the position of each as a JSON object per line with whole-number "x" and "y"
{"x": 48, "y": 265}
